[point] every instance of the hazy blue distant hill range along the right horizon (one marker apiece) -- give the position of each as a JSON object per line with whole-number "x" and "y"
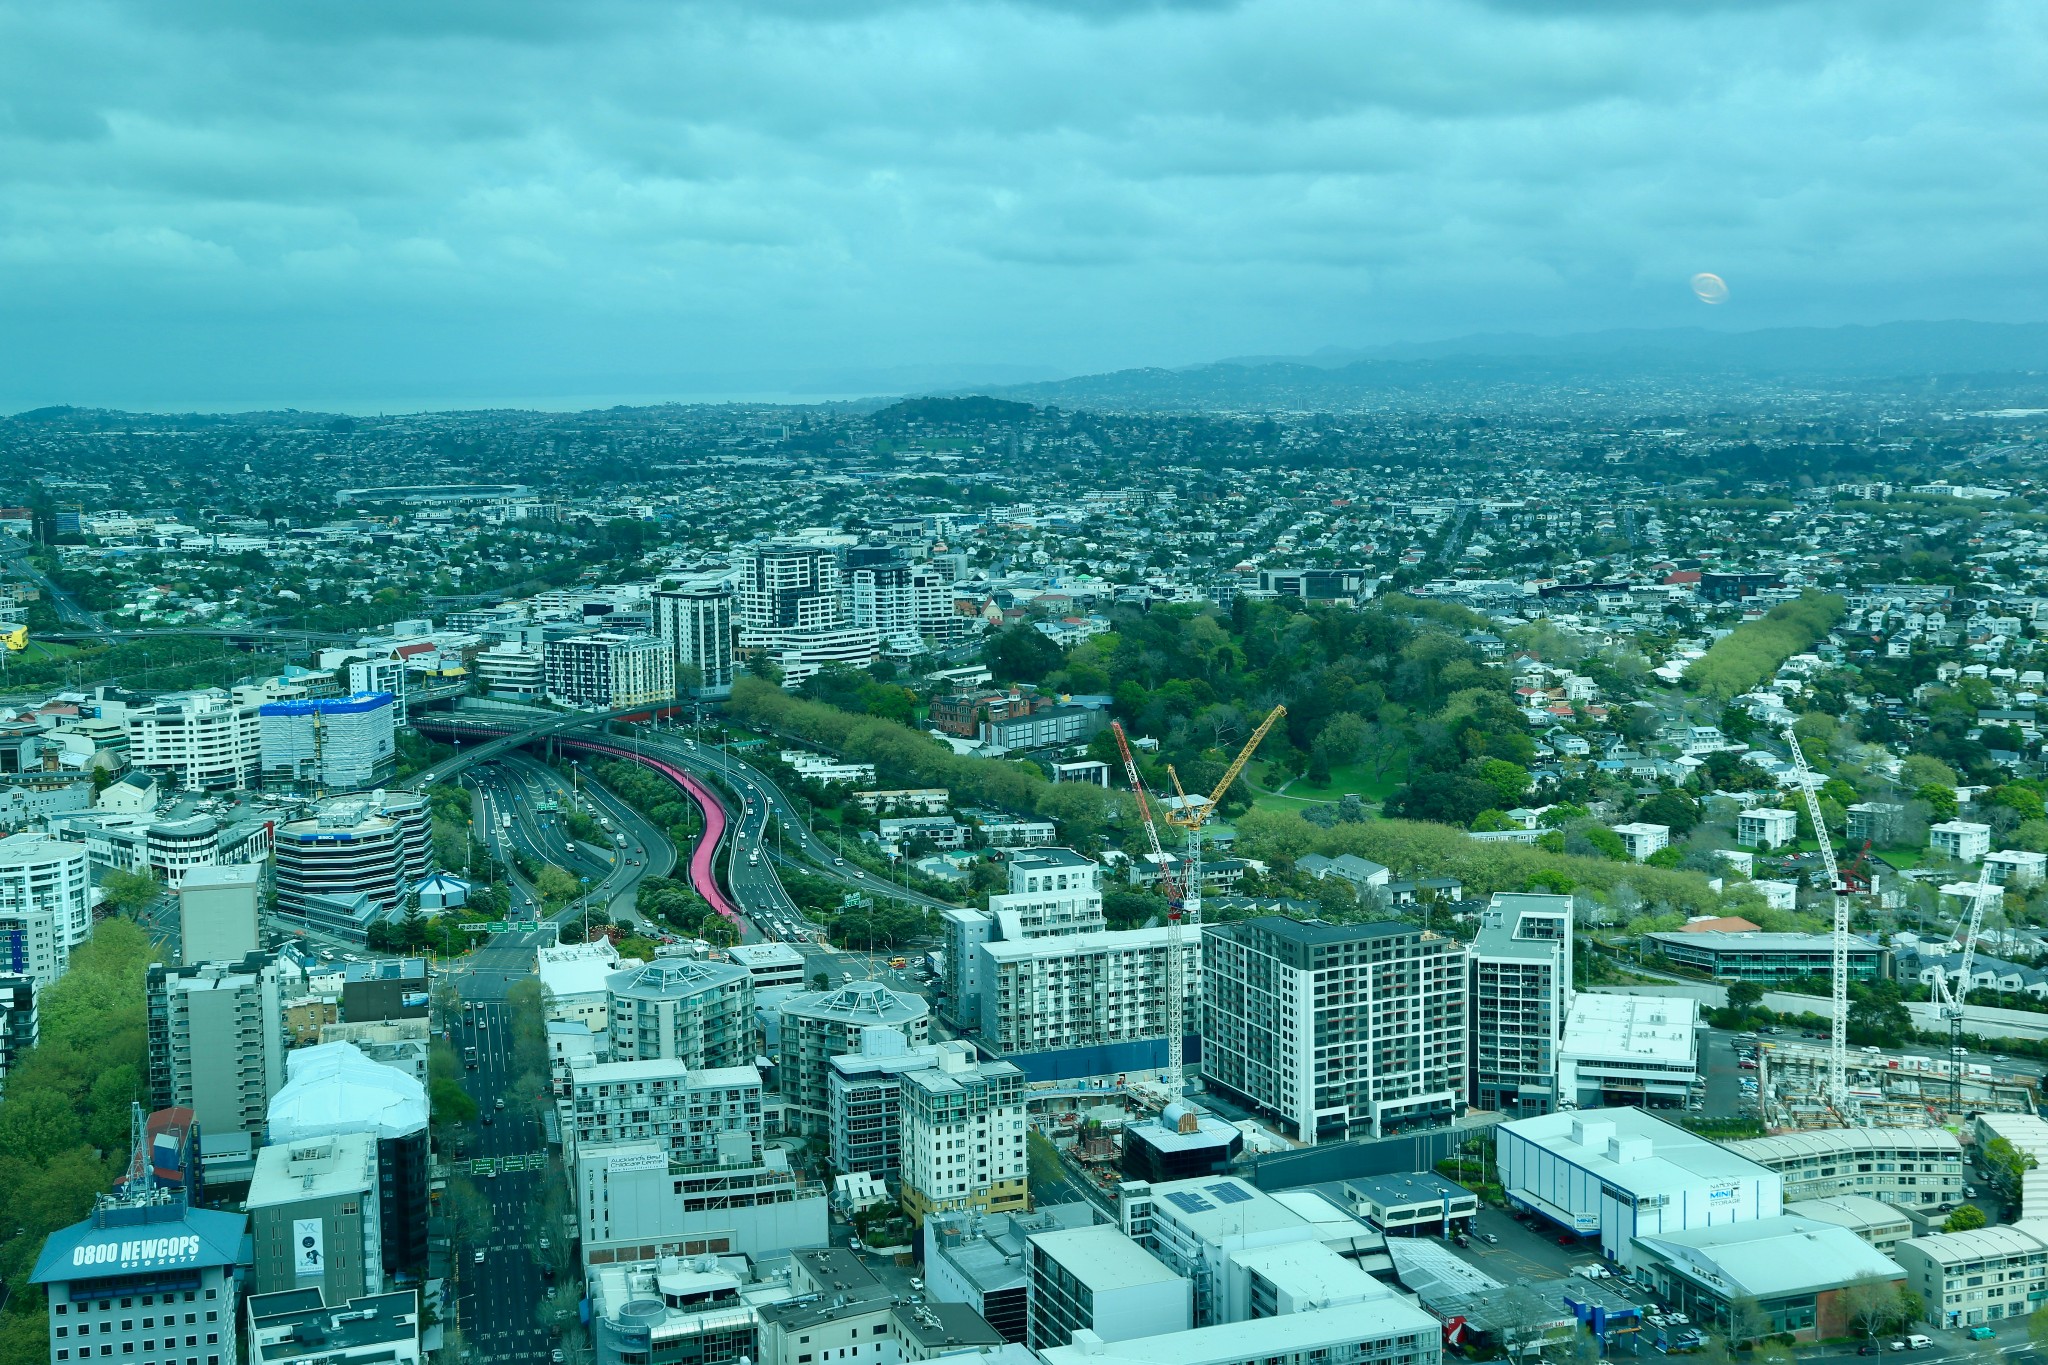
{"x": 1906, "y": 351}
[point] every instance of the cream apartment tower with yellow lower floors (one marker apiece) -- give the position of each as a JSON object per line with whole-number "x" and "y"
{"x": 964, "y": 1137}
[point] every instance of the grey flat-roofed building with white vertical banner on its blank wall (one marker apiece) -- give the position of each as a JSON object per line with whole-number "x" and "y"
{"x": 314, "y": 1217}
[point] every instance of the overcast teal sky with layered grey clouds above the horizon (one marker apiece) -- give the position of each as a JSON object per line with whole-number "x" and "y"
{"x": 366, "y": 204}
